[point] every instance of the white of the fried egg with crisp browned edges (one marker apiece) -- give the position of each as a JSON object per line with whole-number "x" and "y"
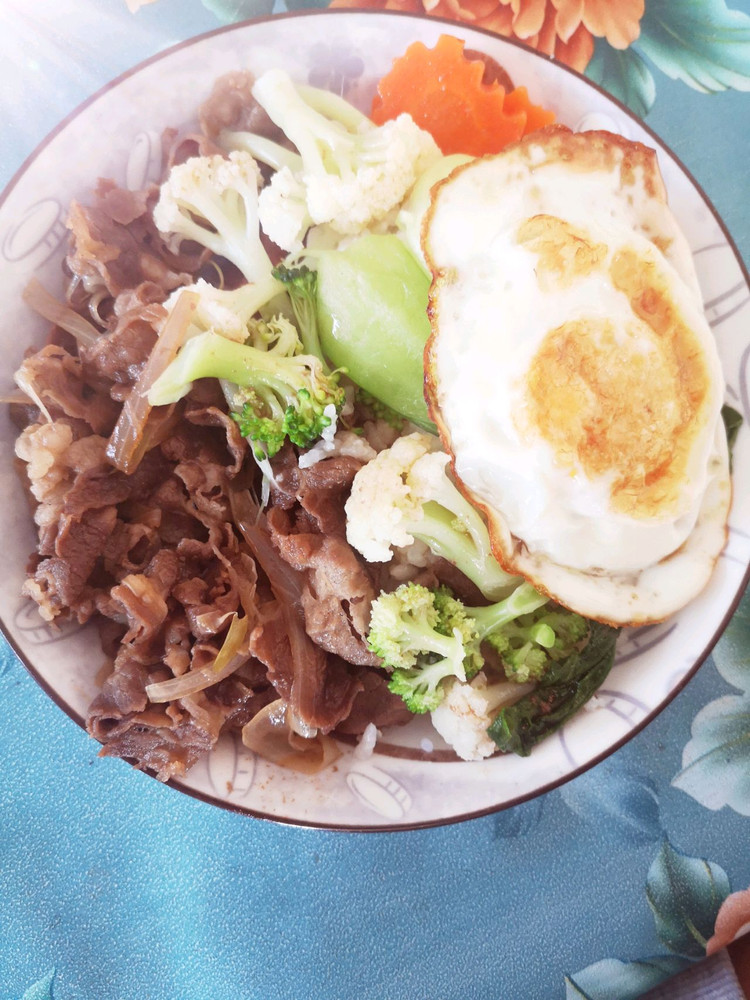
{"x": 493, "y": 305}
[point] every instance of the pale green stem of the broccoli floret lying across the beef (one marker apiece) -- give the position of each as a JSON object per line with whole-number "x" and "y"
{"x": 210, "y": 355}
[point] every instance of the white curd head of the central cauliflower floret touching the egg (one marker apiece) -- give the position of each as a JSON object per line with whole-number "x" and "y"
{"x": 382, "y": 505}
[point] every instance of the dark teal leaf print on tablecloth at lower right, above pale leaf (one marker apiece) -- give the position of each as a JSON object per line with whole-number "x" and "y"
{"x": 685, "y": 895}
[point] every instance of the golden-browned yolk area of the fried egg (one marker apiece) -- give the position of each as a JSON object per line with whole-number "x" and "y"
{"x": 622, "y": 398}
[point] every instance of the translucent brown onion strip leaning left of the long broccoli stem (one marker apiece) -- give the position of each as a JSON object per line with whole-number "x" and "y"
{"x": 129, "y": 442}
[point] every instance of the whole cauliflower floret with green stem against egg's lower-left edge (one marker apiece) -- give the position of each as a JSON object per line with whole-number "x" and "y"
{"x": 404, "y": 493}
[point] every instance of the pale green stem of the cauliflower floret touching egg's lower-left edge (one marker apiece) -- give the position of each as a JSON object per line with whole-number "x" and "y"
{"x": 440, "y": 530}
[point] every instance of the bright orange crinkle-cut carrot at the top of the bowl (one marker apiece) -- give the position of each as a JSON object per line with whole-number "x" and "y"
{"x": 442, "y": 90}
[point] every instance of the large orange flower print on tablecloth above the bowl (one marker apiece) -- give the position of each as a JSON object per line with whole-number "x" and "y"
{"x": 564, "y": 29}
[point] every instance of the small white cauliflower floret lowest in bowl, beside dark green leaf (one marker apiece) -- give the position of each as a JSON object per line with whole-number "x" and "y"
{"x": 467, "y": 711}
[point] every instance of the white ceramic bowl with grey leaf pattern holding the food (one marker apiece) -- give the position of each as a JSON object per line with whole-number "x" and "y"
{"x": 409, "y": 781}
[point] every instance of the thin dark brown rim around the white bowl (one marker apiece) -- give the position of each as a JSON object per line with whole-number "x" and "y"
{"x": 460, "y": 27}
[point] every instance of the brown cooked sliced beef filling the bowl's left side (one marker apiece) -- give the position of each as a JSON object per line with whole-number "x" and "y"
{"x": 166, "y": 556}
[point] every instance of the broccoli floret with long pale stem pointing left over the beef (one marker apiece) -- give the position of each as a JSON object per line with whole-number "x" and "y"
{"x": 276, "y": 396}
